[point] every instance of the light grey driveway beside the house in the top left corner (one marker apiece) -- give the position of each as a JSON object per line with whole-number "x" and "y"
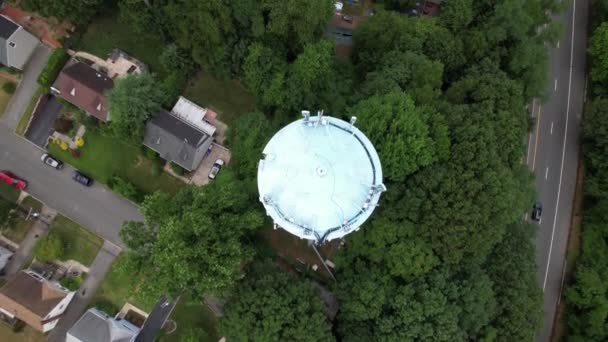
{"x": 27, "y": 87}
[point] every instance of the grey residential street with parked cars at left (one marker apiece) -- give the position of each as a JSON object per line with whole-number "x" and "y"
{"x": 96, "y": 208}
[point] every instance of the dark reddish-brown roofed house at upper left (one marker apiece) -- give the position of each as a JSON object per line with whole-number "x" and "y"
{"x": 84, "y": 87}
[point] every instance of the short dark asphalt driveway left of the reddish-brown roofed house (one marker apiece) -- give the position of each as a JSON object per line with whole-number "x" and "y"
{"x": 42, "y": 121}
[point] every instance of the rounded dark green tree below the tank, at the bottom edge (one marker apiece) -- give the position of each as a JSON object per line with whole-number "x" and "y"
{"x": 270, "y": 305}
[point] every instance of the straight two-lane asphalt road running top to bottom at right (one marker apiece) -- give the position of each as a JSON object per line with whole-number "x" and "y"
{"x": 553, "y": 154}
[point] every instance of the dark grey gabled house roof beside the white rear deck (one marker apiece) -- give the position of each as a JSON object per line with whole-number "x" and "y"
{"x": 175, "y": 139}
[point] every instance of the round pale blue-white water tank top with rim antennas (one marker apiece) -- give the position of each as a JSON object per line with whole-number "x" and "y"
{"x": 320, "y": 178}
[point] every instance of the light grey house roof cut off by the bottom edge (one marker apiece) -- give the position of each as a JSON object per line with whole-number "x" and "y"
{"x": 96, "y": 326}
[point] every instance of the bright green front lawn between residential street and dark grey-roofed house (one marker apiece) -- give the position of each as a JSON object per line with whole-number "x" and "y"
{"x": 102, "y": 157}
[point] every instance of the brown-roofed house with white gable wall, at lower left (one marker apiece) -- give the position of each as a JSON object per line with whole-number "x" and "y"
{"x": 36, "y": 301}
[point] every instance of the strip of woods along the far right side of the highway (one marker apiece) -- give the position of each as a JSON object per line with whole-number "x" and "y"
{"x": 586, "y": 298}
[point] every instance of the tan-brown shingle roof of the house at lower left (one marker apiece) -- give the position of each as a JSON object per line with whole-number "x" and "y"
{"x": 30, "y": 297}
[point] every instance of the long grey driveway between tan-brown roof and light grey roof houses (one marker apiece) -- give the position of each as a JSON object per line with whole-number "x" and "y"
{"x": 81, "y": 301}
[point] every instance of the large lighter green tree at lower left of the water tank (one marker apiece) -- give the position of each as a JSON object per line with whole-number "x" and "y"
{"x": 193, "y": 242}
